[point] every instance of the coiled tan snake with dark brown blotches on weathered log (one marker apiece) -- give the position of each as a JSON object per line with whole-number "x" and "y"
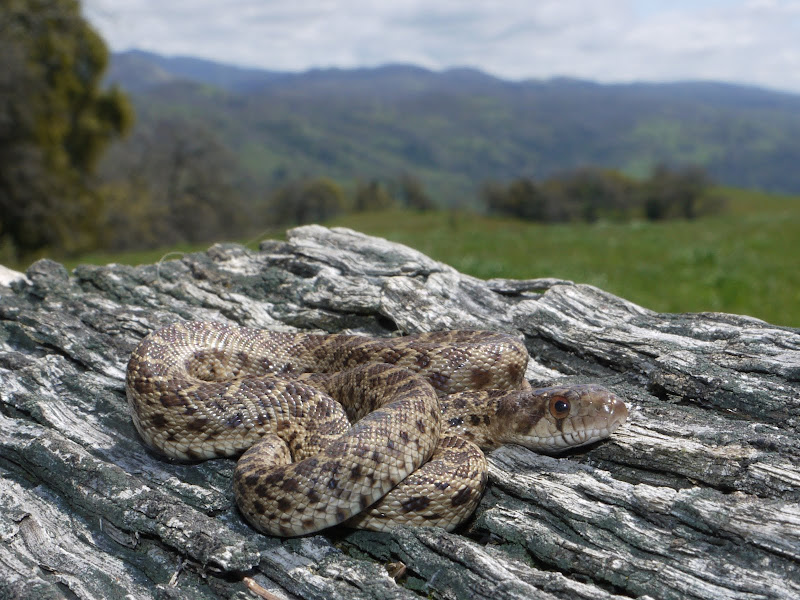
{"x": 348, "y": 429}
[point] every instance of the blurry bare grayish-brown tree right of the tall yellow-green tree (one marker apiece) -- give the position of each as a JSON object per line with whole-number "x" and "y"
{"x": 185, "y": 181}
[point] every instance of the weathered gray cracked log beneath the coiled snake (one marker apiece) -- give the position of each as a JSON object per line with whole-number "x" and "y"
{"x": 698, "y": 496}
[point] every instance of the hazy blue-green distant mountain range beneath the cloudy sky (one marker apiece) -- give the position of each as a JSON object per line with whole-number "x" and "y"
{"x": 457, "y": 128}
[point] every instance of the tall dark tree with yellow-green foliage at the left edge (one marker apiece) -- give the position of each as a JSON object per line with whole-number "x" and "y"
{"x": 56, "y": 122}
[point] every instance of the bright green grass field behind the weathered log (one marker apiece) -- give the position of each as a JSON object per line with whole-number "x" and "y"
{"x": 746, "y": 262}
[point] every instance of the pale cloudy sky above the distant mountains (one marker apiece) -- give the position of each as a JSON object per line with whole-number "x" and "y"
{"x": 740, "y": 41}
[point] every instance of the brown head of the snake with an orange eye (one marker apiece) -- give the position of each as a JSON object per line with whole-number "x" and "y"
{"x": 559, "y": 418}
